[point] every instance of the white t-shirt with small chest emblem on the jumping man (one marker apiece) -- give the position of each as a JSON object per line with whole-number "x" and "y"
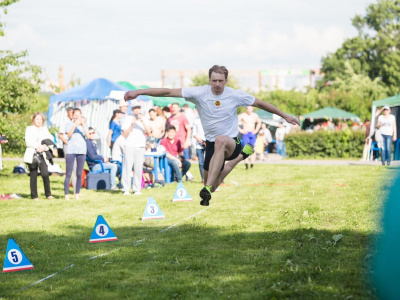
{"x": 218, "y": 113}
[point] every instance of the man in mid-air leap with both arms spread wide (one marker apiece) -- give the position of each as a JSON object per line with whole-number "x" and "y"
{"x": 217, "y": 106}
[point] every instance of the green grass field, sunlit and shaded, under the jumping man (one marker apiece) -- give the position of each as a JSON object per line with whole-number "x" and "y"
{"x": 300, "y": 232}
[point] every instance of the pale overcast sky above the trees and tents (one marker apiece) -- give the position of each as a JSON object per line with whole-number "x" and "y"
{"x": 133, "y": 40}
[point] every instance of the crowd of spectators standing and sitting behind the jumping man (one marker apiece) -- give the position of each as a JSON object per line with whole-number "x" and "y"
{"x": 174, "y": 130}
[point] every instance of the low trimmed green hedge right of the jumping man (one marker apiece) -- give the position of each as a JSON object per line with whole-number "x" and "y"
{"x": 326, "y": 143}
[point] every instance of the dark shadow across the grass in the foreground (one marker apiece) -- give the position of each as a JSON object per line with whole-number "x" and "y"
{"x": 193, "y": 260}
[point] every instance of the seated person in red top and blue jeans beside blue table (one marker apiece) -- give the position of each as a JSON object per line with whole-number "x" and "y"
{"x": 175, "y": 157}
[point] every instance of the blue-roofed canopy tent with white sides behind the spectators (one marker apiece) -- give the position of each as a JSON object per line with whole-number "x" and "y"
{"x": 94, "y": 101}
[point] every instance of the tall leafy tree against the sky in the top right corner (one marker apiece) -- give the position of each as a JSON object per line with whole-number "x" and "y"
{"x": 375, "y": 51}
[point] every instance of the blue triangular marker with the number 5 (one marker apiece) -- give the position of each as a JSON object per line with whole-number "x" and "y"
{"x": 16, "y": 259}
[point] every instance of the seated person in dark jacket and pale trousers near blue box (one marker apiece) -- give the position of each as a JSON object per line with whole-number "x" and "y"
{"x": 92, "y": 155}
